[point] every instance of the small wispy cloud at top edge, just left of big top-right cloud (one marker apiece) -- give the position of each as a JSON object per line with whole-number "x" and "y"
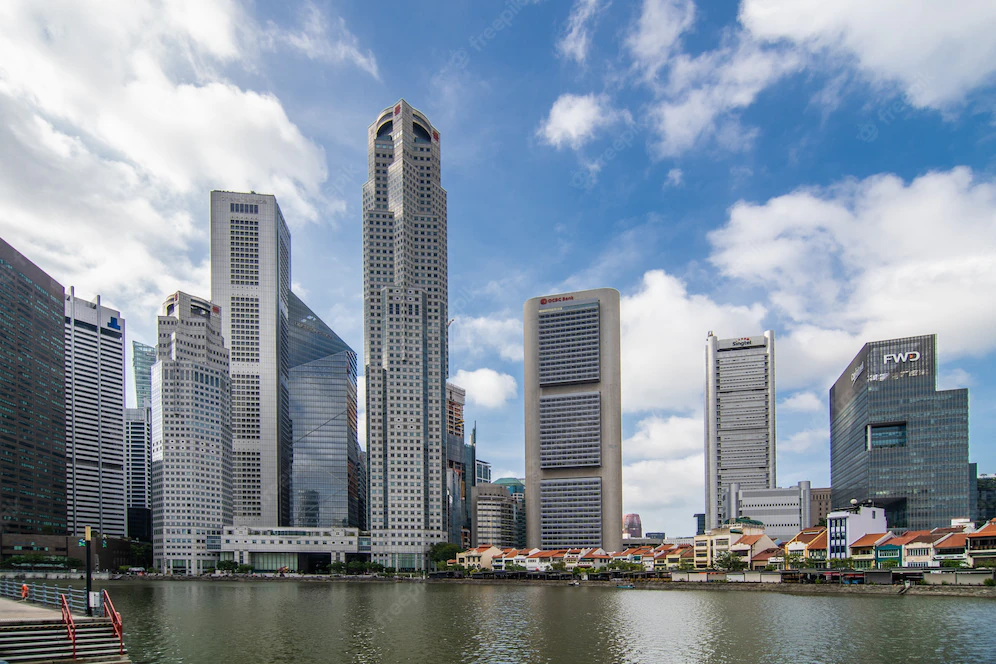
{"x": 657, "y": 33}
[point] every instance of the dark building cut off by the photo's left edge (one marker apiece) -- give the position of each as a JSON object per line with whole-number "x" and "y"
{"x": 32, "y": 398}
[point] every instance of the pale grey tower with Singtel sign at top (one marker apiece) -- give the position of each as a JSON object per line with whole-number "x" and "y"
{"x": 739, "y": 419}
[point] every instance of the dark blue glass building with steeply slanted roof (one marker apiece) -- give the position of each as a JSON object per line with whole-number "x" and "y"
{"x": 328, "y": 475}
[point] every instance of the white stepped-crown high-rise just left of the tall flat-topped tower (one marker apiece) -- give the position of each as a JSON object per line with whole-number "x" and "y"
{"x": 191, "y": 437}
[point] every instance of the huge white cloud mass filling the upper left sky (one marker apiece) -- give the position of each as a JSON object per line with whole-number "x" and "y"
{"x": 117, "y": 122}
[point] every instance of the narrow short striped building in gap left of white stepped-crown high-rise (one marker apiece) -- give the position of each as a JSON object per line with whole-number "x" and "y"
{"x": 138, "y": 446}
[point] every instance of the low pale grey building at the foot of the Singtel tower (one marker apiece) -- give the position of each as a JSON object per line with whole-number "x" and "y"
{"x": 784, "y": 512}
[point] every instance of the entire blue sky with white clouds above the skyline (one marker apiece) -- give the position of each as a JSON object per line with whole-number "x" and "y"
{"x": 822, "y": 169}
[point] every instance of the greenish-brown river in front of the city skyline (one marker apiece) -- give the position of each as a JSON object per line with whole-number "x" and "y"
{"x": 221, "y": 622}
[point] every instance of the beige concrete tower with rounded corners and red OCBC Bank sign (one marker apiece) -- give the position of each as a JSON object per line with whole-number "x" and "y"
{"x": 573, "y": 420}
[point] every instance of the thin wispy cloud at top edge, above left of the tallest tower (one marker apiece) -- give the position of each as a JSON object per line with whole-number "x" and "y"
{"x": 328, "y": 41}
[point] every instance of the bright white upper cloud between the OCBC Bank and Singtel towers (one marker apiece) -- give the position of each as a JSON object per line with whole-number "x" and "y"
{"x": 659, "y": 318}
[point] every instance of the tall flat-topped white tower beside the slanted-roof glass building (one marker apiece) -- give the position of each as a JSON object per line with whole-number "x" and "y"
{"x": 250, "y": 280}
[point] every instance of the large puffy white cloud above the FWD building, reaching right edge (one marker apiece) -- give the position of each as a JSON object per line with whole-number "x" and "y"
{"x": 863, "y": 260}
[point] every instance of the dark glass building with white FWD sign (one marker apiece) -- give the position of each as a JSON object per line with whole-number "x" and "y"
{"x": 896, "y": 440}
